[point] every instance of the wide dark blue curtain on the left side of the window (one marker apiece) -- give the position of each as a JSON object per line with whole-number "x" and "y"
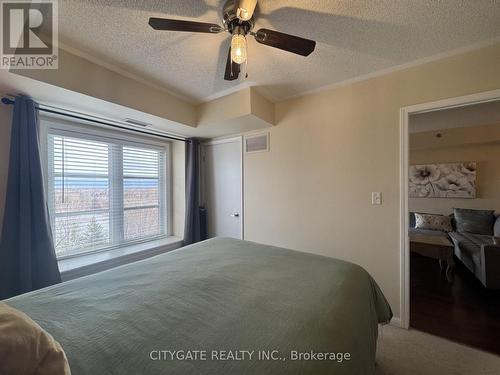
{"x": 27, "y": 255}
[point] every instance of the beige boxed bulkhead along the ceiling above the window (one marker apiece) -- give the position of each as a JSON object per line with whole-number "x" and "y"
{"x": 105, "y": 90}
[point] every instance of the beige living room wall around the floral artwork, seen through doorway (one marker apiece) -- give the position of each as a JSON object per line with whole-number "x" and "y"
{"x": 478, "y": 143}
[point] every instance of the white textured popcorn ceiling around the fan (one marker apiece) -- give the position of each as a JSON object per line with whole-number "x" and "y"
{"x": 355, "y": 38}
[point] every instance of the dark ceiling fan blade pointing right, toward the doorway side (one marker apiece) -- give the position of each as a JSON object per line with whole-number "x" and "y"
{"x": 286, "y": 42}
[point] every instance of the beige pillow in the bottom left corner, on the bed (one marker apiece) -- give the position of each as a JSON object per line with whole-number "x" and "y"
{"x": 25, "y": 348}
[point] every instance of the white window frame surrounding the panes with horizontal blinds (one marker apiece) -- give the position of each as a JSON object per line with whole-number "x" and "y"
{"x": 55, "y": 125}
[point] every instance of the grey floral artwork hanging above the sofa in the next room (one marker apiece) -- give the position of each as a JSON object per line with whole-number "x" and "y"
{"x": 456, "y": 180}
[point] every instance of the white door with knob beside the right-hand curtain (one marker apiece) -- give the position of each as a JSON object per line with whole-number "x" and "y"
{"x": 223, "y": 187}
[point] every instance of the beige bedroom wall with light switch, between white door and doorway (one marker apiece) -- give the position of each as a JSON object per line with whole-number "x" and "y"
{"x": 330, "y": 150}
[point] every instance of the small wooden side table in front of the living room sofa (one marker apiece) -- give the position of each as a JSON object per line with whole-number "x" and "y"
{"x": 436, "y": 247}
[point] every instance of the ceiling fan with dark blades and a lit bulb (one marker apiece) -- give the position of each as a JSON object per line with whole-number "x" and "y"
{"x": 238, "y": 20}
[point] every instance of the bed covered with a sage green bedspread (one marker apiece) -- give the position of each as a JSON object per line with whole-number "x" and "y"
{"x": 295, "y": 312}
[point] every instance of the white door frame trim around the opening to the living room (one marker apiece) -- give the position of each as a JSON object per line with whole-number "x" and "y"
{"x": 404, "y": 157}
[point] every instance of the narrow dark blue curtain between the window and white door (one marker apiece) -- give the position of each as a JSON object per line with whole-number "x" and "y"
{"x": 193, "y": 231}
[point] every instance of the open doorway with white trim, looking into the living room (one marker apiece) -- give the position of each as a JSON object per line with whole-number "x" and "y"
{"x": 450, "y": 153}
